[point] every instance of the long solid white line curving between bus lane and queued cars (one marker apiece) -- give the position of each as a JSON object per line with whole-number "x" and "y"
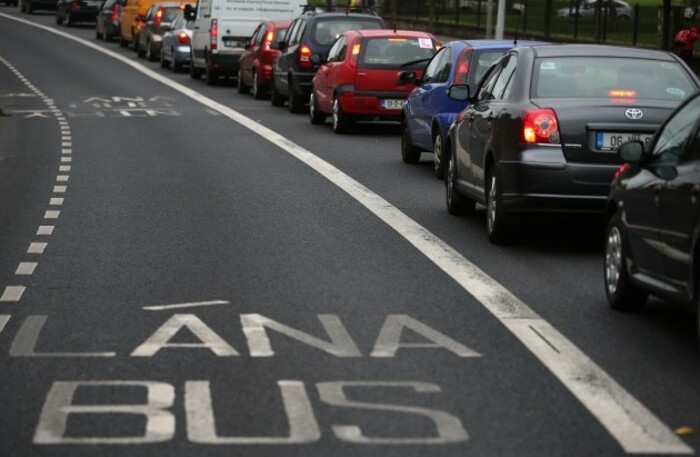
{"x": 634, "y": 427}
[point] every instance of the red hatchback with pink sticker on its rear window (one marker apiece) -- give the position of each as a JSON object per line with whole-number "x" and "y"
{"x": 359, "y": 79}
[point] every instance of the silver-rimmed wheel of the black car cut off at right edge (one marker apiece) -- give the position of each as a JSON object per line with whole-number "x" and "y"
{"x": 622, "y": 294}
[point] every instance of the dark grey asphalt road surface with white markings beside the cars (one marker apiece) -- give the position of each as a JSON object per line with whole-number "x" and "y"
{"x": 188, "y": 271}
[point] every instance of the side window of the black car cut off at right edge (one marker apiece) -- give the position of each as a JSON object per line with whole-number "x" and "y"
{"x": 670, "y": 143}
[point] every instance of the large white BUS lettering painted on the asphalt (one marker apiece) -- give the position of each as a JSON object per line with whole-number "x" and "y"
{"x": 160, "y": 426}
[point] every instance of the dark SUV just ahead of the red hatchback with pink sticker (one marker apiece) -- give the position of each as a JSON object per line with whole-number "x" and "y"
{"x": 311, "y": 34}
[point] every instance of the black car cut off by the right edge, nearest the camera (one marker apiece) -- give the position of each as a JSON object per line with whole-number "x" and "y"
{"x": 651, "y": 244}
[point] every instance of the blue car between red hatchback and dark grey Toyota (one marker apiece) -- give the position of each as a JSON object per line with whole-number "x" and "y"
{"x": 429, "y": 112}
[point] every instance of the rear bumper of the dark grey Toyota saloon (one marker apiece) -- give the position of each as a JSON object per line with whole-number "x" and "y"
{"x": 543, "y": 181}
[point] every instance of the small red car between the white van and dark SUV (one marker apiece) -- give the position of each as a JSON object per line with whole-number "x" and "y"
{"x": 255, "y": 64}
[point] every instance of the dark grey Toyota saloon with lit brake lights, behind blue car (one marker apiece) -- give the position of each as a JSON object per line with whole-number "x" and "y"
{"x": 542, "y": 129}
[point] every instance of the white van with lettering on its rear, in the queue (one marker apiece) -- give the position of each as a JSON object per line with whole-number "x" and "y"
{"x": 223, "y": 28}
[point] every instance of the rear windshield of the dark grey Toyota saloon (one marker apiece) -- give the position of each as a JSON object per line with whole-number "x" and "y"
{"x": 610, "y": 77}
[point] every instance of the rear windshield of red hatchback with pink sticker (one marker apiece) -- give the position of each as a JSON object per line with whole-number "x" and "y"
{"x": 393, "y": 52}
